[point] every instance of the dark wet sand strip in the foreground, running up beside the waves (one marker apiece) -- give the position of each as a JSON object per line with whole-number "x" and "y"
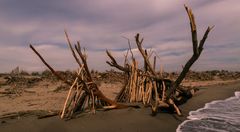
{"x": 124, "y": 119}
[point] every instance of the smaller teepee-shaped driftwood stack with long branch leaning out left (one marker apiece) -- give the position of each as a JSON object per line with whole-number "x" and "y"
{"x": 83, "y": 94}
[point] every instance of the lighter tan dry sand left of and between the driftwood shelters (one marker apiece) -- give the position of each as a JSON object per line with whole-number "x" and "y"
{"x": 43, "y": 96}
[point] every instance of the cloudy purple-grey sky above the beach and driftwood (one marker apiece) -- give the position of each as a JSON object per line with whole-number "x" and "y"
{"x": 104, "y": 24}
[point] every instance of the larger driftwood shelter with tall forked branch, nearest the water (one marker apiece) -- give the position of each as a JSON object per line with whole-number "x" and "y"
{"x": 149, "y": 87}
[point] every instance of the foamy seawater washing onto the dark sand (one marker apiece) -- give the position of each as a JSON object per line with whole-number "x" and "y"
{"x": 216, "y": 116}
